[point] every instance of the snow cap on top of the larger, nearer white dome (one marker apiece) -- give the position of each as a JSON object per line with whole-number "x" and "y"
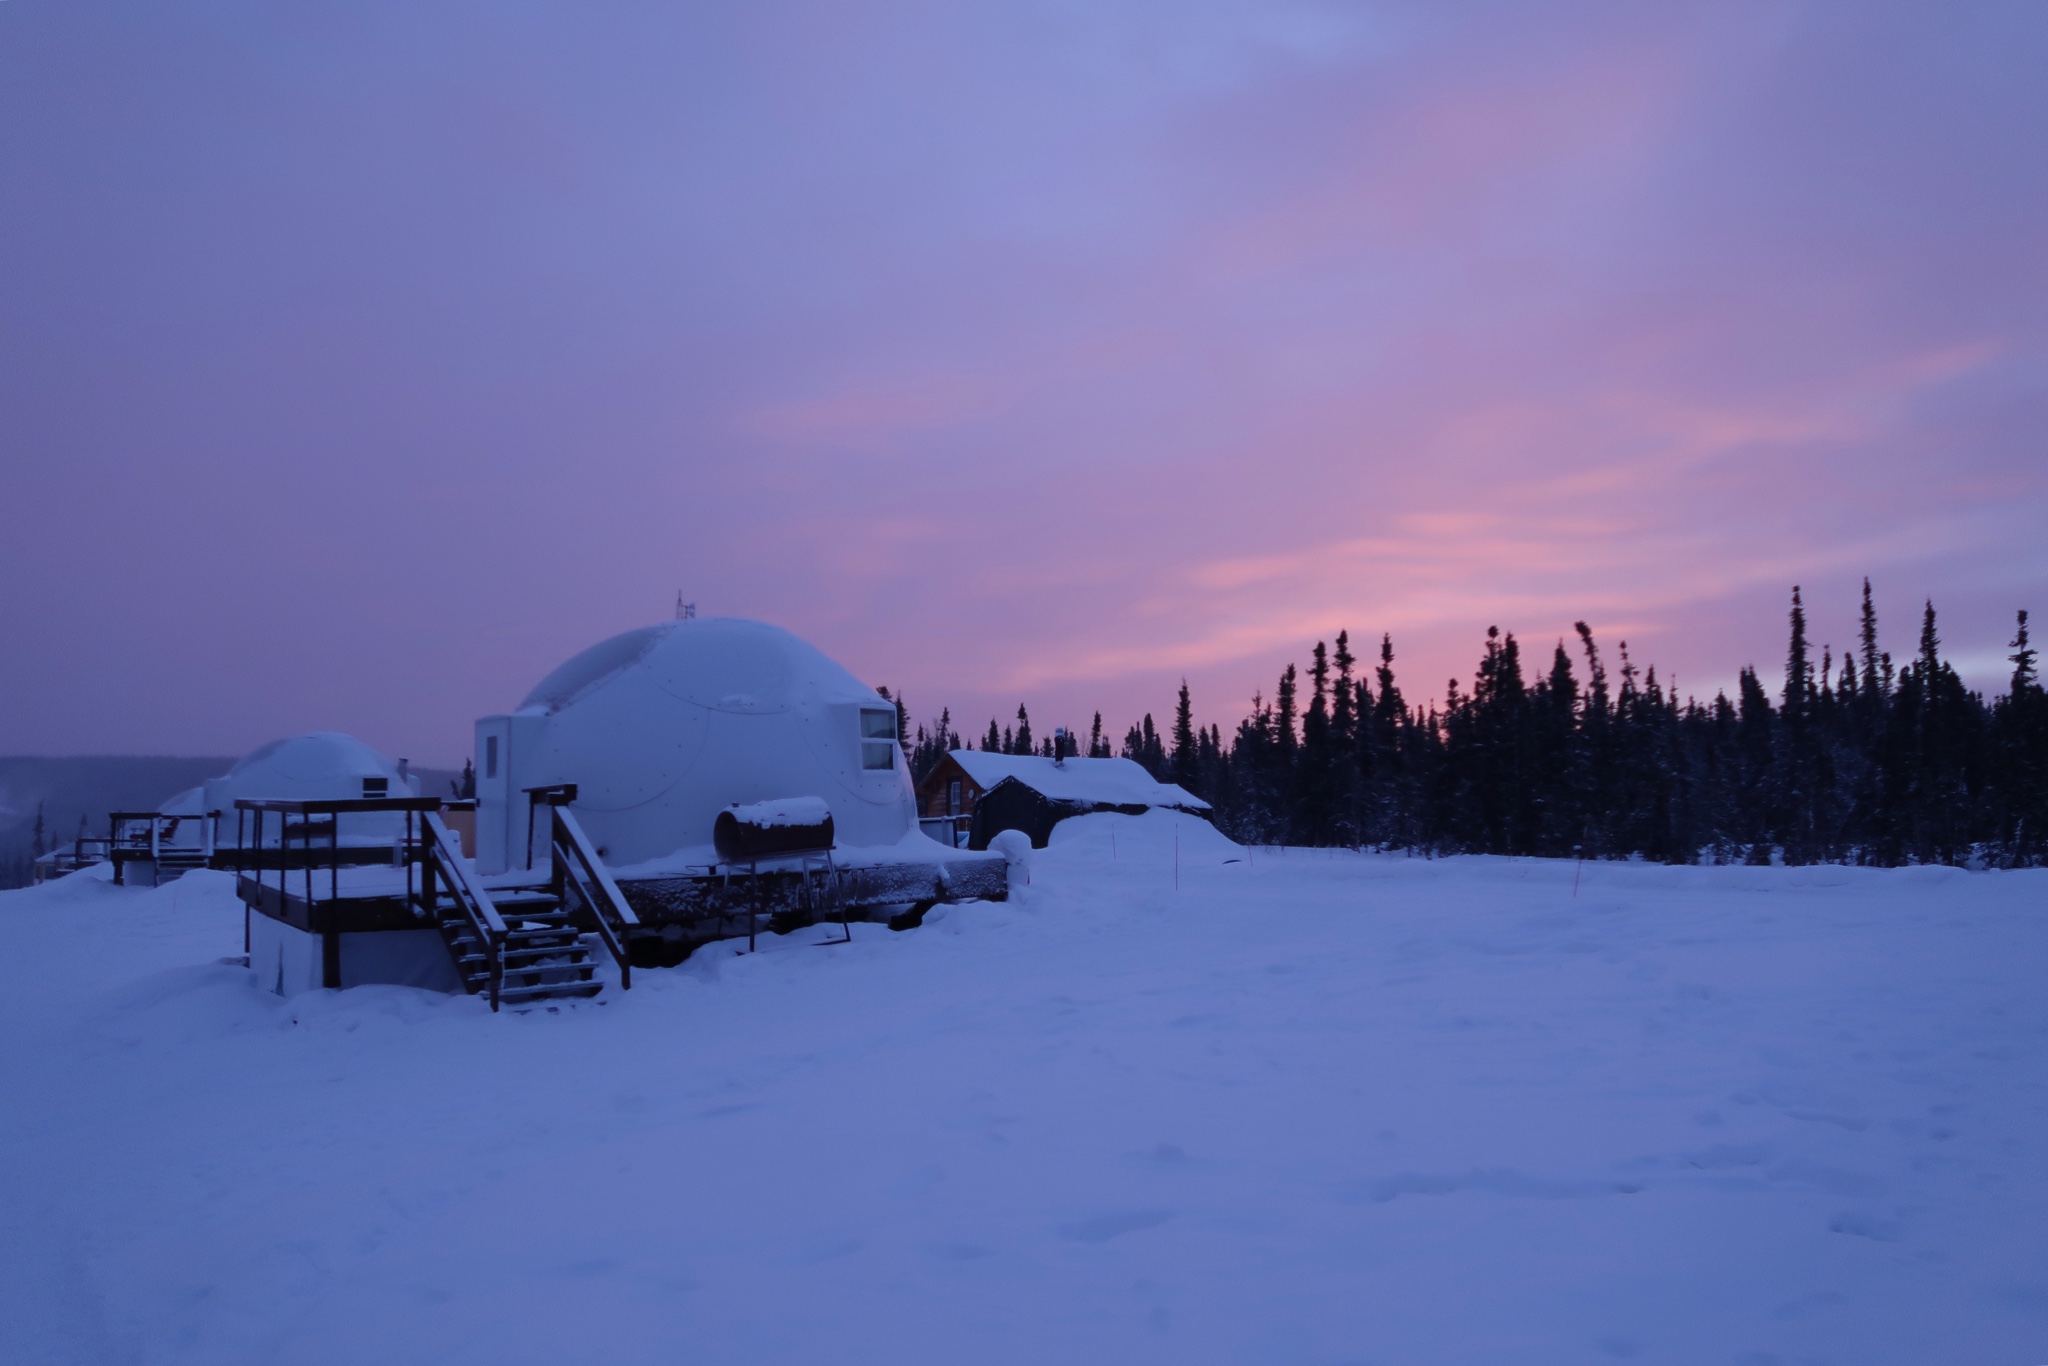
{"x": 720, "y": 663}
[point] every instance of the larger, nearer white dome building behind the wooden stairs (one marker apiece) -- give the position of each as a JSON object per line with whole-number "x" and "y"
{"x": 667, "y": 726}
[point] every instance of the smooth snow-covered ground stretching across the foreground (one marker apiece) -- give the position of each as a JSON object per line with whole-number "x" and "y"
{"x": 1302, "y": 1109}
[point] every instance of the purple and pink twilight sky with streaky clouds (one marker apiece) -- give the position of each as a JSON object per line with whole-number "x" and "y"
{"x": 361, "y": 361}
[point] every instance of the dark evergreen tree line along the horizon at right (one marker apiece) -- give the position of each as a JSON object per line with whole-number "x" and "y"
{"x": 1869, "y": 763}
